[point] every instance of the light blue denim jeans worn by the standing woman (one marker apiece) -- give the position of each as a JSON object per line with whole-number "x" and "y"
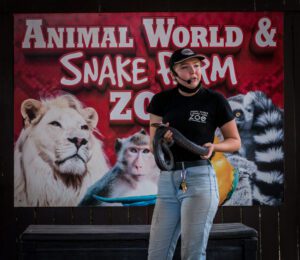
{"x": 190, "y": 213}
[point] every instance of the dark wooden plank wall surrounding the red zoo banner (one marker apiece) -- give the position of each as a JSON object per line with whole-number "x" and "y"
{"x": 278, "y": 227}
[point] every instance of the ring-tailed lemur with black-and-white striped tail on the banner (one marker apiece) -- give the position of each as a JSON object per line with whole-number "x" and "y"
{"x": 260, "y": 124}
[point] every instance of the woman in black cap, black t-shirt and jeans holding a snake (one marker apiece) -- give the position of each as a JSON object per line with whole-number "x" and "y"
{"x": 188, "y": 196}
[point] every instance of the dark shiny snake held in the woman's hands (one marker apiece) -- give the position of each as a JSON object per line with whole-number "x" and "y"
{"x": 161, "y": 148}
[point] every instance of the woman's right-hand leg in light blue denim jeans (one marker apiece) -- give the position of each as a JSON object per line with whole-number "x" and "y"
{"x": 199, "y": 207}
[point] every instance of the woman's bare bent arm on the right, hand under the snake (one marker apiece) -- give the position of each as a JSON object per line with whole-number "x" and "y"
{"x": 231, "y": 142}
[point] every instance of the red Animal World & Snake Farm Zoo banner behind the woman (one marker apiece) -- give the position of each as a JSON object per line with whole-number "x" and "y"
{"x": 82, "y": 83}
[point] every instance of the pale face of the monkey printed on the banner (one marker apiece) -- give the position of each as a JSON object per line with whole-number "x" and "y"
{"x": 140, "y": 160}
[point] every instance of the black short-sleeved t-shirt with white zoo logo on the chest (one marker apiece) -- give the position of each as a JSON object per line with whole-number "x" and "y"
{"x": 196, "y": 117}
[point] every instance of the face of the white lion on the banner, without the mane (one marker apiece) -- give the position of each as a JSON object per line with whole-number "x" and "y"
{"x": 62, "y": 136}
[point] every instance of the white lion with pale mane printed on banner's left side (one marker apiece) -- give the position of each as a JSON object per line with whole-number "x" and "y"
{"x": 56, "y": 155}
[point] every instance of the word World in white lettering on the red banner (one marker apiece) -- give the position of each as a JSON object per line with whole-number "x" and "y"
{"x": 162, "y": 32}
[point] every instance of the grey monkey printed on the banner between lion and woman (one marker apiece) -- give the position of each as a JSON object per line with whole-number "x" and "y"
{"x": 134, "y": 173}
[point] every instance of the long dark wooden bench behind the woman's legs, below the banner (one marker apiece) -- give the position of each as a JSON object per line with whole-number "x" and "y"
{"x": 226, "y": 241}
